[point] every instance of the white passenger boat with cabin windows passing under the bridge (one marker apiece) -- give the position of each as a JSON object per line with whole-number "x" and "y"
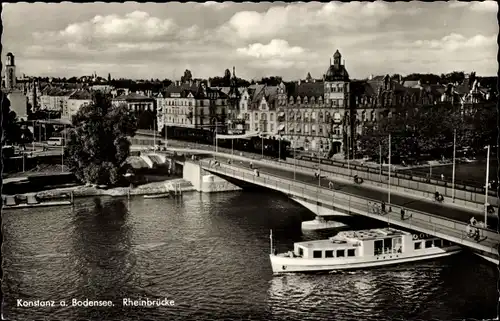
{"x": 361, "y": 249}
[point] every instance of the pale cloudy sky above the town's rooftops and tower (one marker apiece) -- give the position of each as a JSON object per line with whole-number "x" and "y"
{"x": 150, "y": 40}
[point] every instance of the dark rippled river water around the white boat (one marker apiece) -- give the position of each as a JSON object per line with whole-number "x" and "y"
{"x": 208, "y": 253}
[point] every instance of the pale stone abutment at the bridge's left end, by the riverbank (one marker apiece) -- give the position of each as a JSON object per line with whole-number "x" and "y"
{"x": 204, "y": 181}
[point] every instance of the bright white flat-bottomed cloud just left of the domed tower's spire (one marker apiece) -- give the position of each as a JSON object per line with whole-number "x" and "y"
{"x": 277, "y": 48}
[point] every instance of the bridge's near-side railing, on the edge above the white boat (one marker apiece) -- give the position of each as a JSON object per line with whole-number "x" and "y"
{"x": 364, "y": 205}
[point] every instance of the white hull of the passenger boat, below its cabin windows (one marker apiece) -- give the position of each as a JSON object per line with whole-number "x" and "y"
{"x": 282, "y": 264}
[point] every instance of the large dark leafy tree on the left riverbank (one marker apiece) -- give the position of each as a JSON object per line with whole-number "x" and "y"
{"x": 98, "y": 145}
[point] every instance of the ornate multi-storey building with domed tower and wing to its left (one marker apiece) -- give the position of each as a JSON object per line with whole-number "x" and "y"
{"x": 318, "y": 112}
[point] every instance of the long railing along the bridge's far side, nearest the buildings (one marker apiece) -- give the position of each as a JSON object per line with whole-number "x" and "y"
{"x": 463, "y": 194}
